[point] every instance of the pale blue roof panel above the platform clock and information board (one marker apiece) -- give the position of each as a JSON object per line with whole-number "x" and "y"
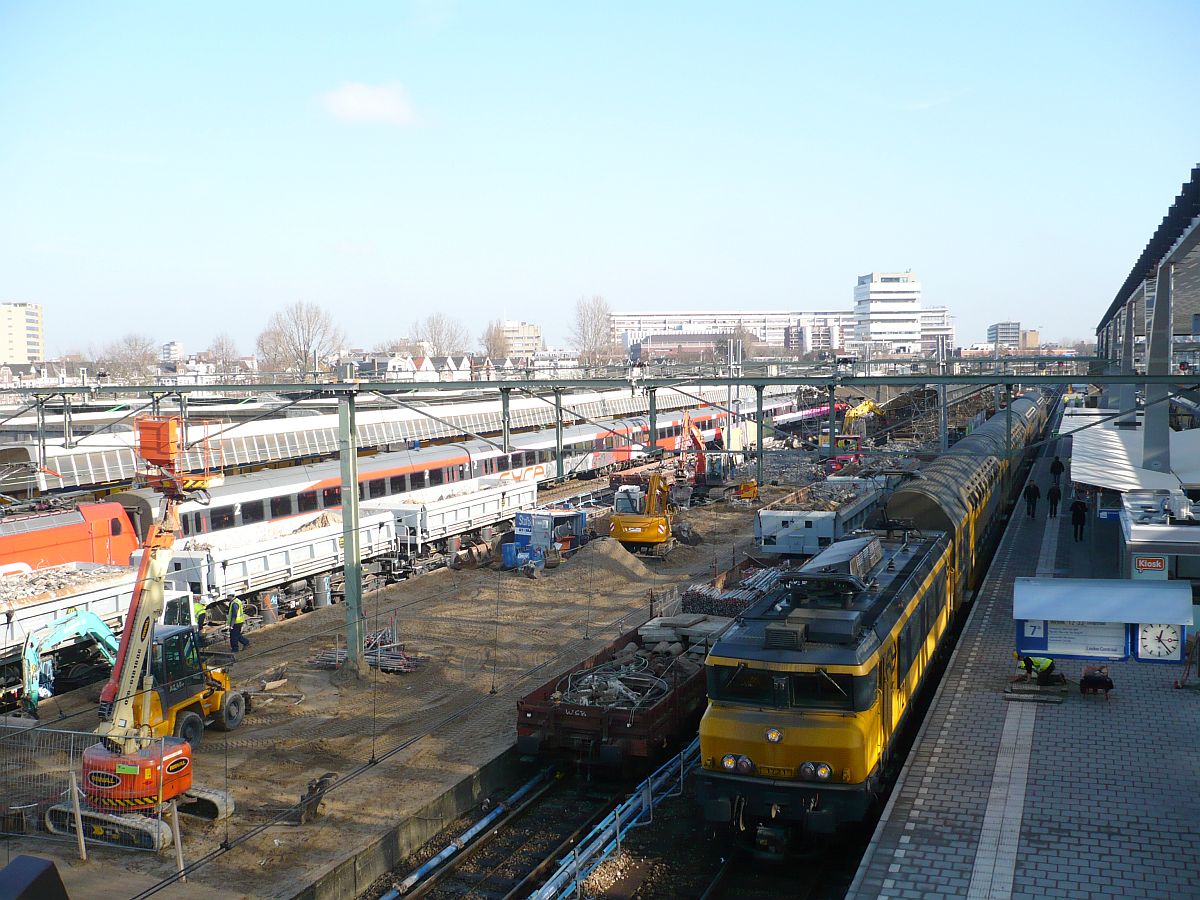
{"x": 1163, "y": 603}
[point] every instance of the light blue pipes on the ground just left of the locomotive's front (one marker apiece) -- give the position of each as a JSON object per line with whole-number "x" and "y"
{"x": 638, "y": 811}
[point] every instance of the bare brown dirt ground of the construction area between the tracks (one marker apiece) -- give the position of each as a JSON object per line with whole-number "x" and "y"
{"x": 489, "y": 638}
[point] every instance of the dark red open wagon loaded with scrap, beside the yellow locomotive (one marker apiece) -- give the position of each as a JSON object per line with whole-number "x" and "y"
{"x": 628, "y": 703}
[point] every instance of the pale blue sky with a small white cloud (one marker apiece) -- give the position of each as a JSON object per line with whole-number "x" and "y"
{"x": 183, "y": 170}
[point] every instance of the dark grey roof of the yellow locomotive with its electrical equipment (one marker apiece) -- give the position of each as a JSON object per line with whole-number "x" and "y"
{"x": 838, "y": 609}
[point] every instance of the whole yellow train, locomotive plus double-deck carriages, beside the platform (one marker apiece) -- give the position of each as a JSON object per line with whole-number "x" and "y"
{"x": 809, "y": 687}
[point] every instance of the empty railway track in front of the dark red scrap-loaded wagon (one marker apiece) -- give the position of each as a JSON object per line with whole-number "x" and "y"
{"x": 512, "y": 856}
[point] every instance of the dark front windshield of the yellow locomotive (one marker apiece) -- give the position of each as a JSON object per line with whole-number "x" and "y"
{"x": 799, "y": 691}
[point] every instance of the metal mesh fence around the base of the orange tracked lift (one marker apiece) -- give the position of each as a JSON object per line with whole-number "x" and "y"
{"x": 64, "y": 787}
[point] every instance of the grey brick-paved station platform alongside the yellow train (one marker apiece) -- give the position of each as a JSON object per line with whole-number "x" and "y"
{"x": 1009, "y": 799}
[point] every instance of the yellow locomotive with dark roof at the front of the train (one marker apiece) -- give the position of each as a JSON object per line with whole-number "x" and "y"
{"x": 809, "y": 687}
